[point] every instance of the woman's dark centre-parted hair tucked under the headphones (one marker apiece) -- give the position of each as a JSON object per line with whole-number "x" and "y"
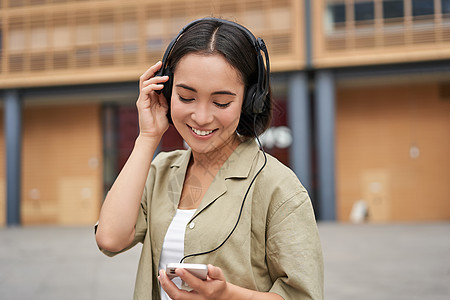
{"x": 211, "y": 36}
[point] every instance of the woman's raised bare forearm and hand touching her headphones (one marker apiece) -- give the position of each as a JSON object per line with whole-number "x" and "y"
{"x": 118, "y": 216}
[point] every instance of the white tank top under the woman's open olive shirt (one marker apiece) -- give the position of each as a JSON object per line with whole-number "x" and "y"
{"x": 173, "y": 246}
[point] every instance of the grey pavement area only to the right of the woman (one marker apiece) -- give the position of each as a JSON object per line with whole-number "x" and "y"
{"x": 382, "y": 262}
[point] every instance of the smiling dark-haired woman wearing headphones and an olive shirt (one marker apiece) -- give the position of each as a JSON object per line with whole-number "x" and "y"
{"x": 223, "y": 202}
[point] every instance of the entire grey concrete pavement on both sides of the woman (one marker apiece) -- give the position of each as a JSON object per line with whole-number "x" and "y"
{"x": 390, "y": 261}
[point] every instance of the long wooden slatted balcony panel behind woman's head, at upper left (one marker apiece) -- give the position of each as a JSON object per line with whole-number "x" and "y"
{"x": 79, "y": 37}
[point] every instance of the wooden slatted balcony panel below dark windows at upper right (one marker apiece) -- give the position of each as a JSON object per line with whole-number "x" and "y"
{"x": 404, "y": 39}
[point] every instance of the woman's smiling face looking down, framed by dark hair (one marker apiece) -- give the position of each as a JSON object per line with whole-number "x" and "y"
{"x": 206, "y": 101}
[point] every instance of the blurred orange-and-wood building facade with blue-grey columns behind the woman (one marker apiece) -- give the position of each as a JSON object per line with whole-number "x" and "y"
{"x": 361, "y": 90}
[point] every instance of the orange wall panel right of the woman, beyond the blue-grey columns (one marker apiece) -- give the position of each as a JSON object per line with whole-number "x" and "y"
{"x": 393, "y": 151}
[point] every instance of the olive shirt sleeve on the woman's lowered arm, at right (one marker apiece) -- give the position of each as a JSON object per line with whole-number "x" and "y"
{"x": 294, "y": 252}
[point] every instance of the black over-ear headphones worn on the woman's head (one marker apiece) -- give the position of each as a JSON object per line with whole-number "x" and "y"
{"x": 255, "y": 94}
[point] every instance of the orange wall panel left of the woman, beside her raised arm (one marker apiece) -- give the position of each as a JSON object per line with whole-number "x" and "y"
{"x": 62, "y": 164}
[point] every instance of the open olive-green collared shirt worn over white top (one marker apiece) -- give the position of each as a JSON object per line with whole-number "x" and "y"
{"x": 275, "y": 246}
